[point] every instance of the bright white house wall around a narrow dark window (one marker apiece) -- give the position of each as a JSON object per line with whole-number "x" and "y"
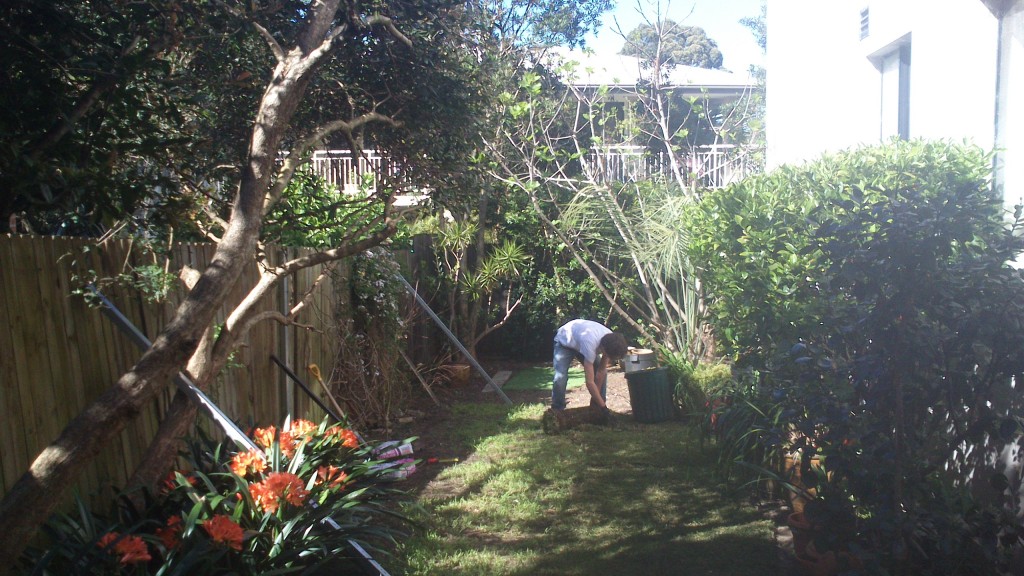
{"x": 824, "y": 91}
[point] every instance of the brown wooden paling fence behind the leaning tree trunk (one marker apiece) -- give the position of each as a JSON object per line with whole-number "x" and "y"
{"x": 58, "y": 354}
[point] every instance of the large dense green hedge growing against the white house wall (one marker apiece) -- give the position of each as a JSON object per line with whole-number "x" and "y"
{"x": 885, "y": 325}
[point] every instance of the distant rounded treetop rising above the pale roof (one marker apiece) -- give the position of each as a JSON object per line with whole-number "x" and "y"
{"x": 669, "y": 45}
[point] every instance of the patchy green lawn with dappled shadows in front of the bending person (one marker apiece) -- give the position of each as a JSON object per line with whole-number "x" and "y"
{"x": 624, "y": 500}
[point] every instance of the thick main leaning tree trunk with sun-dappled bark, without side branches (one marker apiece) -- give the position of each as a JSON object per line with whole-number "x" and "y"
{"x": 39, "y": 491}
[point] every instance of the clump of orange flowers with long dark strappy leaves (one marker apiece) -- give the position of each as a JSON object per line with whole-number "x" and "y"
{"x": 296, "y": 503}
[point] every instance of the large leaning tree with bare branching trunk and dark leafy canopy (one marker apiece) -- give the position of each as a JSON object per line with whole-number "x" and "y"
{"x": 325, "y": 69}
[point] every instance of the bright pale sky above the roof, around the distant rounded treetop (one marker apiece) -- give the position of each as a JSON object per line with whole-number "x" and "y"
{"x": 719, "y": 19}
